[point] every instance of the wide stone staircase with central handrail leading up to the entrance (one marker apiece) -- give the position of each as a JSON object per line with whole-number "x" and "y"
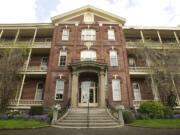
{"x": 87, "y": 118}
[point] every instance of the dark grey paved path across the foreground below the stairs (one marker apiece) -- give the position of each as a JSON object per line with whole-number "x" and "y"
{"x": 115, "y": 131}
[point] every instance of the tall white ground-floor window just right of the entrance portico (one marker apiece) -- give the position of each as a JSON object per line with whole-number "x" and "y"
{"x": 116, "y": 90}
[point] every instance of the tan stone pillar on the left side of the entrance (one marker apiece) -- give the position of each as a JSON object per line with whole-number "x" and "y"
{"x": 74, "y": 90}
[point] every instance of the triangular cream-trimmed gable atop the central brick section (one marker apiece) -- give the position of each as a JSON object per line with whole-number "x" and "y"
{"x": 87, "y": 14}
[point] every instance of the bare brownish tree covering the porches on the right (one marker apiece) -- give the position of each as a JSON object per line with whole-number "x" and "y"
{"x": 164, "y": 64}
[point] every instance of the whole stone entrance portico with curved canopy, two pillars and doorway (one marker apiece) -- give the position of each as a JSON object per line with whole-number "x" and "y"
{"x": 88, "y": 83}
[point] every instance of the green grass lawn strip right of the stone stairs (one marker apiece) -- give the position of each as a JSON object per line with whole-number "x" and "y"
{"x": 157, "y": 123}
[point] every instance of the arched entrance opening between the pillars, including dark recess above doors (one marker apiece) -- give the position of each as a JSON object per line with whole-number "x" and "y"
{"x": 88, "y": 89}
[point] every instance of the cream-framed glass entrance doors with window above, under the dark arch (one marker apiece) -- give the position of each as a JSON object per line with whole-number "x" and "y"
{"x": 88, "y": 94}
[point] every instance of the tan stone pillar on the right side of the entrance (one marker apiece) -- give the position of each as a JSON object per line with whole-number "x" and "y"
{"x": 102, "y": 89}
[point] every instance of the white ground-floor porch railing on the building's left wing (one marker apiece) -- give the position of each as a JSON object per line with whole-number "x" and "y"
{"x": 25, "y": 102}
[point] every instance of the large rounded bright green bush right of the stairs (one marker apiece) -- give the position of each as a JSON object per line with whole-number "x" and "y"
{"x": 152, "y": 109}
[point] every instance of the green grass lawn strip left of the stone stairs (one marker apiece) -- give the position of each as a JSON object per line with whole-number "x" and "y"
{"x": 21, "y": 123}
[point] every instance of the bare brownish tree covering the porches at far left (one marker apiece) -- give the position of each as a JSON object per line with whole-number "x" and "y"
{"x": 11, "y": 62}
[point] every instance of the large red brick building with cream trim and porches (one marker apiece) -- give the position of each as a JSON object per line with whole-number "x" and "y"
{"x": 84, "y": 57}
